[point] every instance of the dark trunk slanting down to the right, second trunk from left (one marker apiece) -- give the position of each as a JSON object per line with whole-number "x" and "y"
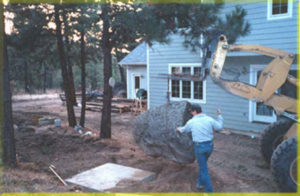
{"x": 66, "y": 83}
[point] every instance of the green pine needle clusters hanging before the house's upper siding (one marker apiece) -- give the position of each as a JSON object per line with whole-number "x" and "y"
{"x": 207, "y": 20}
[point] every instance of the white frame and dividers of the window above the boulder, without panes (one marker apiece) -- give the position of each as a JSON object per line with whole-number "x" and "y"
{"x": 180, "y": 98}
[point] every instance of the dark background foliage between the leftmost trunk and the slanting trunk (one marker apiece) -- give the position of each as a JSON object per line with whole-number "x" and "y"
{"x": 31, "y": 47}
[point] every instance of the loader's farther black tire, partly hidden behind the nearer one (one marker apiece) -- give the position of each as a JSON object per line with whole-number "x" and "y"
{"x": 273, "y": 136}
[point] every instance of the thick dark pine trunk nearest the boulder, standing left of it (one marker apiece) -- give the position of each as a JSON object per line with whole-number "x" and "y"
{"x": 106, "y": 110}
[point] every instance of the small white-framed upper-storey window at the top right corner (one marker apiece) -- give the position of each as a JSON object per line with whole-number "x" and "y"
{"x": 279, "y": 9}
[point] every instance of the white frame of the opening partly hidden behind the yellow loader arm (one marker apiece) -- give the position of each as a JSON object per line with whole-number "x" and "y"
{"x": 253, "y": 117}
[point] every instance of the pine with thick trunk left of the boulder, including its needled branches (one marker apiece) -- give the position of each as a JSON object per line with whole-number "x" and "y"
{"x": 122, "y": 24}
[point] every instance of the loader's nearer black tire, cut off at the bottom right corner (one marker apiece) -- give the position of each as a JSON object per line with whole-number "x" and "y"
{"x": 284, "y": 165}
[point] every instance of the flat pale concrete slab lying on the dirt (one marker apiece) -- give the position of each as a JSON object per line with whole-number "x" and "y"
{"x": 108, "y": 176}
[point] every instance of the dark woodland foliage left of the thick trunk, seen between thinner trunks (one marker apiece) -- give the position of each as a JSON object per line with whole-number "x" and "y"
{"x": 33, "y": 43}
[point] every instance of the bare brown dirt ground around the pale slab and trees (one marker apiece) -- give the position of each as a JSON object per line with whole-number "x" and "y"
{"x": 236, "y": 164}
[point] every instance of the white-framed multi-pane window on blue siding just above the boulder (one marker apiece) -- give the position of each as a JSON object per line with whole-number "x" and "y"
{"x": 186, "y": 89}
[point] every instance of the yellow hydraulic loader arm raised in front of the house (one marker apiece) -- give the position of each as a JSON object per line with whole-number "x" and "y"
{"x": 272, "y": 77}
